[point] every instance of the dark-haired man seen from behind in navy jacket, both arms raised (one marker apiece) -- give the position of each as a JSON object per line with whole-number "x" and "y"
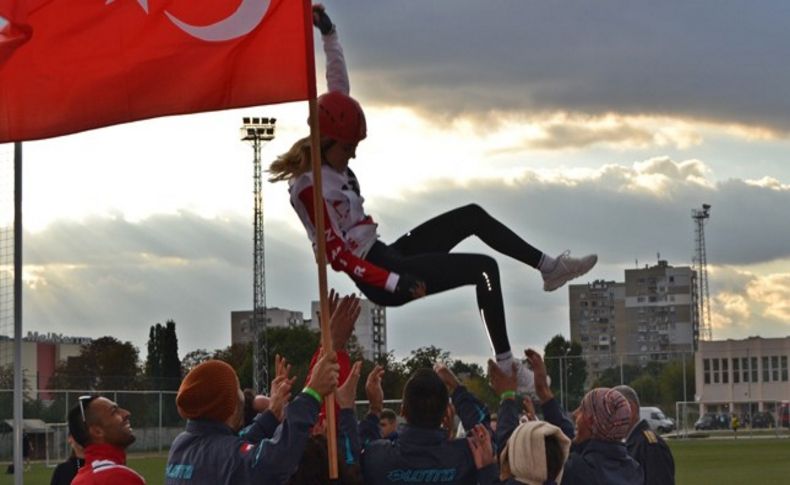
{"x": 423, "y": 453}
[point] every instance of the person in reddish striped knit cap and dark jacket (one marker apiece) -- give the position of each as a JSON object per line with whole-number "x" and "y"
{"x": 598, "y": 455}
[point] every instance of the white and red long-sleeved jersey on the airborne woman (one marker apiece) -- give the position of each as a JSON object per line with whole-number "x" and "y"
{"x": 350, "y": 233}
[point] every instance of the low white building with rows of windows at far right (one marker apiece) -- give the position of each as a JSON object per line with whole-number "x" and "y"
{"x": 734, "y": 375}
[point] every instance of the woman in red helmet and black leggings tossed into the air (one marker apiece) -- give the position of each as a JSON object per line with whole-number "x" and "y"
{"x": 419, "y": 263}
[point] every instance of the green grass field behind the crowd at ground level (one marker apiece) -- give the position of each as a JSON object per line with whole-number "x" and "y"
{"x": 698, "y": 462}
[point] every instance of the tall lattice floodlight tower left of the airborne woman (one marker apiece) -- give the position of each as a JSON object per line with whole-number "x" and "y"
{"x": 256, "y": 131}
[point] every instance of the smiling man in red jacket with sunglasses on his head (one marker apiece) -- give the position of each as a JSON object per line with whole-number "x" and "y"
{"x": 104, "y": 430}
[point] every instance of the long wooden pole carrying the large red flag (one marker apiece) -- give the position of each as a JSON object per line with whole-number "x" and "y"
{"x": 320, "y": 239}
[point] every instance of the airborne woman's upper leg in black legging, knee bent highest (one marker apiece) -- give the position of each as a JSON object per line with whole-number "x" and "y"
{"x": 444, "y": 232}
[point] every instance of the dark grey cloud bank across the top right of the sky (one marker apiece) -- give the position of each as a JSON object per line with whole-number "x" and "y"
{"x": 675, "y": 58}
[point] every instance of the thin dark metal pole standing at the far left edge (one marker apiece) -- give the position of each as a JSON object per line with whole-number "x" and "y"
{"x": 18, "y": 422}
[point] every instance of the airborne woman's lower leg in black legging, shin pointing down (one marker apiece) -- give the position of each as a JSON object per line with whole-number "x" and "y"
{"x": 444, "y": 271}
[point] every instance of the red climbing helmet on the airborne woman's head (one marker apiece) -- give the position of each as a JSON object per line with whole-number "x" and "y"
{"x": 341, "y": 118}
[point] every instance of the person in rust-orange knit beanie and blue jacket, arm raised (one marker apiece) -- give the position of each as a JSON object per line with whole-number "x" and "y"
{"x": 211, "y": 452}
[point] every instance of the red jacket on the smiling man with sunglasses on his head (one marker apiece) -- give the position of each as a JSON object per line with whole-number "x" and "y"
{"x": 106, "y": 465}
